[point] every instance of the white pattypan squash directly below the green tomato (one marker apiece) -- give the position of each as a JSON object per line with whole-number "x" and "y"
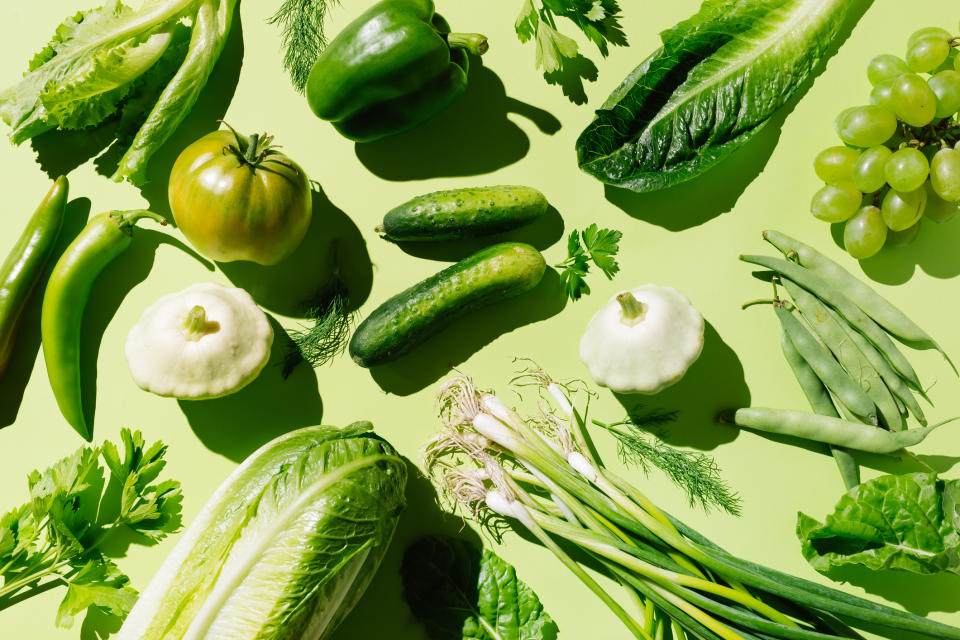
{"x": 206, "y": 341}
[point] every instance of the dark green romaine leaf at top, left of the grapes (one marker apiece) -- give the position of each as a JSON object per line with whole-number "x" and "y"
{"x": 711, "y": 87}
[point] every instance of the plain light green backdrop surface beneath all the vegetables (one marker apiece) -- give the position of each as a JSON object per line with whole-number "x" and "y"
{"x": 767, "y": 185}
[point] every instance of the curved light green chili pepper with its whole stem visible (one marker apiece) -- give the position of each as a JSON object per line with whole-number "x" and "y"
{"x": 104, "y": 238}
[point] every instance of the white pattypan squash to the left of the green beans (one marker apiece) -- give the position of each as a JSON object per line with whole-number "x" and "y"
{"x": 643, "y": 340}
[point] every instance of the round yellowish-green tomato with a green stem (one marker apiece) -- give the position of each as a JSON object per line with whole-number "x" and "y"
{"x": 237, "y": 198}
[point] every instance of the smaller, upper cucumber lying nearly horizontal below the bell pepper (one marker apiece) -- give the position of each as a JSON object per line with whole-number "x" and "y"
{"x": 463, "y": 213}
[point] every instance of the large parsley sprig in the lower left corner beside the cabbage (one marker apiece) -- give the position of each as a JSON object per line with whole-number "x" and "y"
{"x": 59, "y": 536}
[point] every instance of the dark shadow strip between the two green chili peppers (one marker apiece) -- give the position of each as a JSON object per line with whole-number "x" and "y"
{"x": 23, "y": 359}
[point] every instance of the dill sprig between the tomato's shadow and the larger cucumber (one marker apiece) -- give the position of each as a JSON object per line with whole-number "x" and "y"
{"x": 327, "y": 337}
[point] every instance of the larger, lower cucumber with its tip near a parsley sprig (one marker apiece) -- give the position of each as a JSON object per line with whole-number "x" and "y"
{"x": 496, "y": 273}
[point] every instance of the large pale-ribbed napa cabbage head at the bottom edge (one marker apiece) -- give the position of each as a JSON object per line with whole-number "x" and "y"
{"x": 286, "y": 545}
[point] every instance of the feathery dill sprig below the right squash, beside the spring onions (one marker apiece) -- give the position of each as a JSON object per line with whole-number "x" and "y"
{"x": 694, "y": 472}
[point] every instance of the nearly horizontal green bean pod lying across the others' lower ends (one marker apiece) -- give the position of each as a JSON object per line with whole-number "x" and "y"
{"x": 842, "y": 433}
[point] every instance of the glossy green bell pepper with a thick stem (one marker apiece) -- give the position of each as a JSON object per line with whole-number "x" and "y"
{"x": 395, "y": 66}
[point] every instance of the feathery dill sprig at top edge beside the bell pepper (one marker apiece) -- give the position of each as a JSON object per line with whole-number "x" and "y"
{"x": 302, "y": 23}
